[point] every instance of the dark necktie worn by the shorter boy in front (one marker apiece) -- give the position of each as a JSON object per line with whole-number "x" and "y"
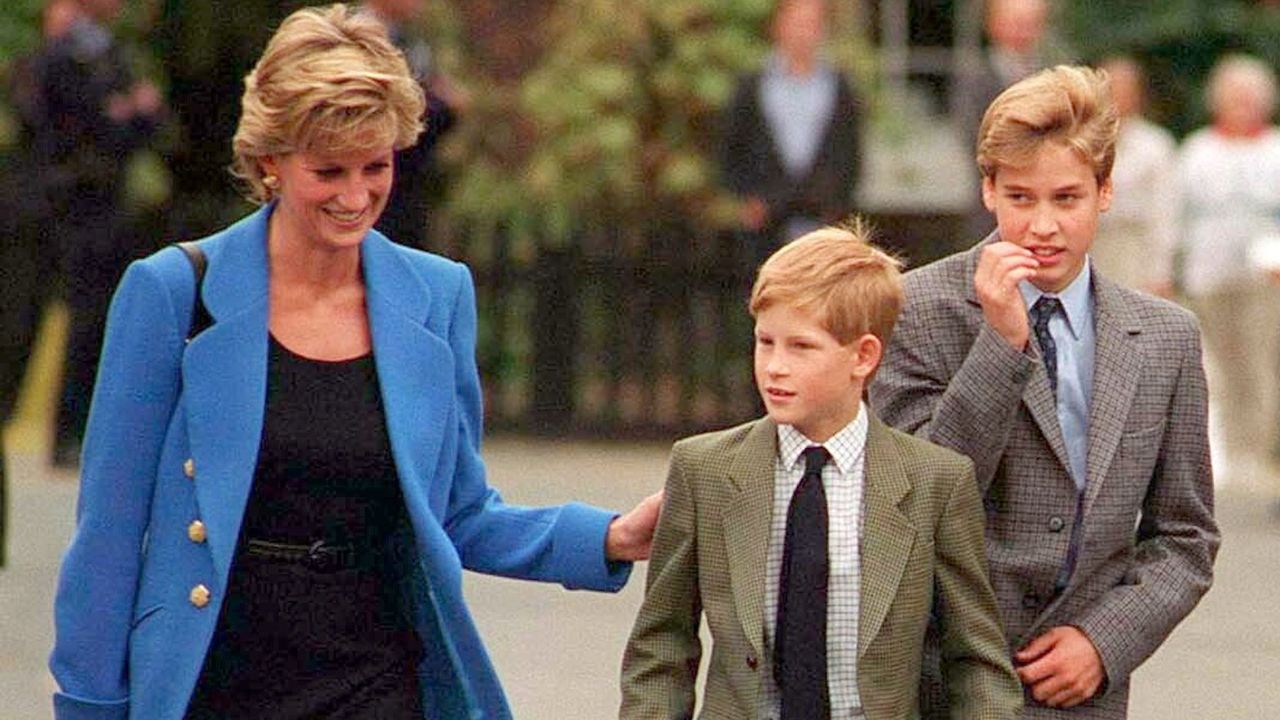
{"x": 801, "y": 642}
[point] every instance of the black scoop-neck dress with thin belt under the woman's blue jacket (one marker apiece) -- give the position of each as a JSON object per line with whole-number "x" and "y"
{"x": 314, "y": 623}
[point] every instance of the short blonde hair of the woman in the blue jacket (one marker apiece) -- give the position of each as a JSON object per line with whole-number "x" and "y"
{"x": 330, "y": 79}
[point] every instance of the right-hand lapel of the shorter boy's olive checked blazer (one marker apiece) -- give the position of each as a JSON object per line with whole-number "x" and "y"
{"x": 888, "y": 535}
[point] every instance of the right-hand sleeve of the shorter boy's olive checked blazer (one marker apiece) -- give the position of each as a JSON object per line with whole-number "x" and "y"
{"x": 976, "y": 669}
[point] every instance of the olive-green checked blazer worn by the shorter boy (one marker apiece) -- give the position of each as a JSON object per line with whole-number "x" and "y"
{"x": 922, "y": 544}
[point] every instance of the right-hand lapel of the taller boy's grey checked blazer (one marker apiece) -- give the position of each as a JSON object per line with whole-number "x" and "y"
{"x": 1117, "y": 371}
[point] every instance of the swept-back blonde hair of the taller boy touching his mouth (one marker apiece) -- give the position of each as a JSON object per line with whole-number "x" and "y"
{"x": 1069, "y": 104}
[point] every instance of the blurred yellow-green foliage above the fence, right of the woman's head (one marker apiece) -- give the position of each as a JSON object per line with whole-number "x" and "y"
{"x": 618, "y": 121}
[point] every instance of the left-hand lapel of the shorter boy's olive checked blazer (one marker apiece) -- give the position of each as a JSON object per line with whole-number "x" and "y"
{"x": 747, "y": 525}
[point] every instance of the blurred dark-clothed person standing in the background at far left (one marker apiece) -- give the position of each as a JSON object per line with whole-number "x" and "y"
{"x": 98, "y": 115}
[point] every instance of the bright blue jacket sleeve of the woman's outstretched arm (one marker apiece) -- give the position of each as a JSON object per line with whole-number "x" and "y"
{"x": 563, "y": 544}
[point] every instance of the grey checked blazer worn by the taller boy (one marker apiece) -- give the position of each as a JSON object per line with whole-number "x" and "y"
{"x": 1148, "y": 537}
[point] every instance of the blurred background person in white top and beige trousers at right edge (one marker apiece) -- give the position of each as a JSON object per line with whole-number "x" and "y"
{"x": 1229, "y": 179}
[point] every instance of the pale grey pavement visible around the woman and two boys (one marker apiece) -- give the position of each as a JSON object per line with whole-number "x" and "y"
{"x": 559, "y": 651}
